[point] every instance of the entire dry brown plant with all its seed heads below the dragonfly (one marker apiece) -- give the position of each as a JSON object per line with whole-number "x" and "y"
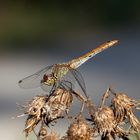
{"x": 107, "y": 121}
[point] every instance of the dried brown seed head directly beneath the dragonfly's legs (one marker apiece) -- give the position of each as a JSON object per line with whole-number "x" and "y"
{"x": 56, "y": 105}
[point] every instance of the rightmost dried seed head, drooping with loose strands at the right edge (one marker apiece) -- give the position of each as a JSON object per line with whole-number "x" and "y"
{"x": 123, "y": 107}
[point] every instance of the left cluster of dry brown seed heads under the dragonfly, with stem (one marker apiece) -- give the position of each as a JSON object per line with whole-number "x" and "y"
{"x": 48, "y": 109}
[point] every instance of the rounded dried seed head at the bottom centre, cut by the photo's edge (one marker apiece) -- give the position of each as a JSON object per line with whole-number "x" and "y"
{"x": 79, "y": 130}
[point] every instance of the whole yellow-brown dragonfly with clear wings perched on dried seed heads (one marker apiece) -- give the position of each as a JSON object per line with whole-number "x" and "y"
{"x": 50, "y": 77}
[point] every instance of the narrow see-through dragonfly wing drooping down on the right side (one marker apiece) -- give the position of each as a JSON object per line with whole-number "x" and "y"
{"x": 80, "y": 80}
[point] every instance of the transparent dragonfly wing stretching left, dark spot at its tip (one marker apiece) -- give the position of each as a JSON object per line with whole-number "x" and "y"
{"x": 35, "y": 79}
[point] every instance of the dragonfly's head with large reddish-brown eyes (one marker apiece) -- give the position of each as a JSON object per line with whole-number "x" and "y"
{"x": 48, "y": 80}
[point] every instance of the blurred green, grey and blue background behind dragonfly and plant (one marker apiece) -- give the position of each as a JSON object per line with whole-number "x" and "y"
{"x": 34, "y": 34}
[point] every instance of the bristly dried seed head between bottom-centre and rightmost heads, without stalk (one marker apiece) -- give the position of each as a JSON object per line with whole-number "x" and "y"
{"x": 105, "y": 124}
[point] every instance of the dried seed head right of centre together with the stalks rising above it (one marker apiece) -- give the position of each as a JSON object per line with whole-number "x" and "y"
{"x": 104, "y": 122}
